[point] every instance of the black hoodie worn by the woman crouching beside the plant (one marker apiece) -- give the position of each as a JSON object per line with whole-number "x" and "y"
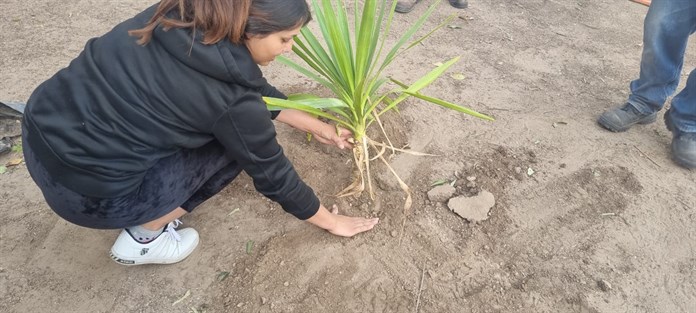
{"x": 101, "y": 123}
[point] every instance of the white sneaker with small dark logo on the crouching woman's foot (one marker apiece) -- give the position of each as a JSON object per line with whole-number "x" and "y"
{"x": 170, "y": 247}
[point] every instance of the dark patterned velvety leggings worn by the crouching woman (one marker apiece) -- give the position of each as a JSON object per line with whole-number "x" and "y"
{"x": 186, "y": 178}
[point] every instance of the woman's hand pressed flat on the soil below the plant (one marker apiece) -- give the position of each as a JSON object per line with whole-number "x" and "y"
{"x": 340, "y": 225}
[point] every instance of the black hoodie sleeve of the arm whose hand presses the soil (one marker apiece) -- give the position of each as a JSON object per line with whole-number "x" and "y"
{"x": 249, "y": 137}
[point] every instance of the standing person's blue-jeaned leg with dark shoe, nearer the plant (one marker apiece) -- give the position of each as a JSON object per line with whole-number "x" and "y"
{"x": 666, "y": 32}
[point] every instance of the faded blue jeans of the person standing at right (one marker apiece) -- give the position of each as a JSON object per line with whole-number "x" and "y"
{"x": 667, "y": 28}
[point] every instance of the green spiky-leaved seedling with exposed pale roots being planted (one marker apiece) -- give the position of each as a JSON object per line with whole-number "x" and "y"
{"x": 351, "y": 62}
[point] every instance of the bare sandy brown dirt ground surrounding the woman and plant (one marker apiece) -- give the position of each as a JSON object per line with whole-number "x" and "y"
{"x": 606, "y": 223}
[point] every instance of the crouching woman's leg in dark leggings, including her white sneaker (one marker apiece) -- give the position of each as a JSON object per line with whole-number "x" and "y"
{"x": 149, "y": 214}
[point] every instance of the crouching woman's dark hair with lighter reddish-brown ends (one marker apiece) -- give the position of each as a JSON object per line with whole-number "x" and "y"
{"x": 231, "y": 19}
